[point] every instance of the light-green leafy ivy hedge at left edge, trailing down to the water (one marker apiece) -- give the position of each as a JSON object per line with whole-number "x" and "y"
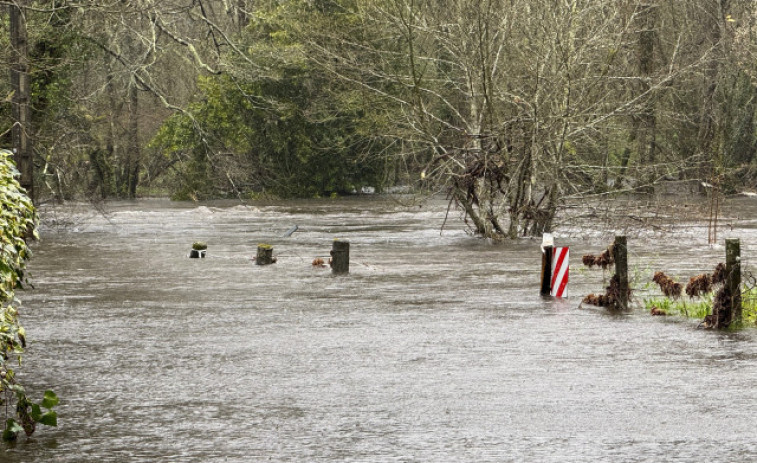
{"x": 17, "y": 224}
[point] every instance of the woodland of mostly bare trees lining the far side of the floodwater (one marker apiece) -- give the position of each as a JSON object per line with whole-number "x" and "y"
{"x": 509, "y": 107}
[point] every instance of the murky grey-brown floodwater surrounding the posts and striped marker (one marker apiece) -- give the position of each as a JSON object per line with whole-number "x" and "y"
{"x": 435, "y": 348}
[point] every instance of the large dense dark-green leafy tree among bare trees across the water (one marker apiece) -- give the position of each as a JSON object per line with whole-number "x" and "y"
{"x": 282, "y": 132}
